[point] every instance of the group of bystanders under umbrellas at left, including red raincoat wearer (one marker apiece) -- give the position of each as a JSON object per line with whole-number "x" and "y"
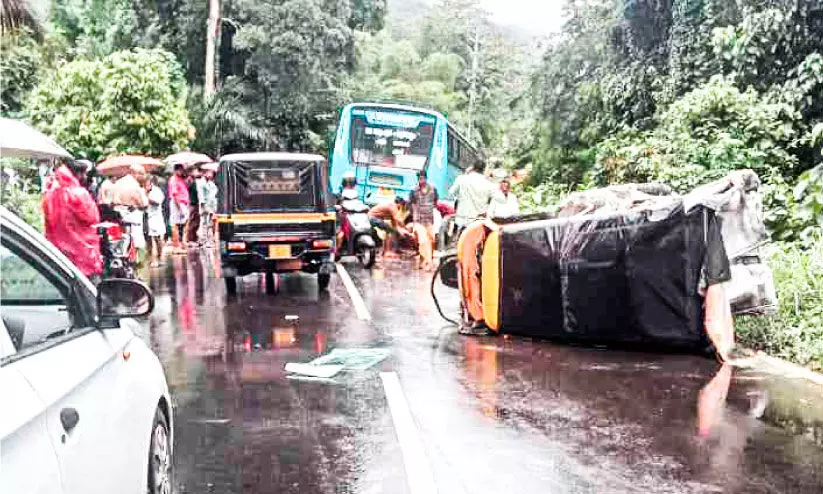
{"x": 75, "y": 201}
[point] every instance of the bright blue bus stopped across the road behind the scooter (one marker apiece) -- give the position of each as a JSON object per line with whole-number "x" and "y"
{"x": 387, "y": 145}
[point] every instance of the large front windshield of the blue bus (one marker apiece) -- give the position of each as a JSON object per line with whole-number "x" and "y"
{"x": 391, "y": 138}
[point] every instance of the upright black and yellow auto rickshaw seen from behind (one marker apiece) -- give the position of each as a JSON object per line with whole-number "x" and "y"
{"x": 275, "y": 215}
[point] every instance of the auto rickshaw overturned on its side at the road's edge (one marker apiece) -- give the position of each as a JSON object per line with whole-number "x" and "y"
{"x": 629, "y": 264}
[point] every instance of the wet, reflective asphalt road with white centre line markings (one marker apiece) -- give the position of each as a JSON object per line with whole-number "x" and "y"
{"x": 483, "y": 415}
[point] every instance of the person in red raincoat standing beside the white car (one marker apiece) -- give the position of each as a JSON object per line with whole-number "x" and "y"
{"x": 70, "y": 212}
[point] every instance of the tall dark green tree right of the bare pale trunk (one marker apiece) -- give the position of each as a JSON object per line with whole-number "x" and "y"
{"x": 284, "y": 66}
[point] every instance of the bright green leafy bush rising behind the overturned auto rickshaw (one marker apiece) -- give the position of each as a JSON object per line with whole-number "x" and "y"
{"x": 702, "y": 136}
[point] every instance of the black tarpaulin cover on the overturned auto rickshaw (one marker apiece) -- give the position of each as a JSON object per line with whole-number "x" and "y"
{"x": 611, "y": 278}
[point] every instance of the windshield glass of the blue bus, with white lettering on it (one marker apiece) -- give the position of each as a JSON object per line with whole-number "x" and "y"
{"x": 390, "y": 145}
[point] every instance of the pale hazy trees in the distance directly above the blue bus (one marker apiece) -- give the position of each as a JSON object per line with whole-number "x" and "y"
{"x": 454, "y": 60}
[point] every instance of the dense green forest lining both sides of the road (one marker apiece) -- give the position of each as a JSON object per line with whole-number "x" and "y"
{"x": 676, "y": 91}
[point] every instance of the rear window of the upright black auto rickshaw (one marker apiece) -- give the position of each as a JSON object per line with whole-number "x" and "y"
{"x": 275, "y": 185}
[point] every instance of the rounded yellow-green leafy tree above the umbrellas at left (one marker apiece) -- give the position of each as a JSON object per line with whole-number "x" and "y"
{"x": 130, "y": 101}
